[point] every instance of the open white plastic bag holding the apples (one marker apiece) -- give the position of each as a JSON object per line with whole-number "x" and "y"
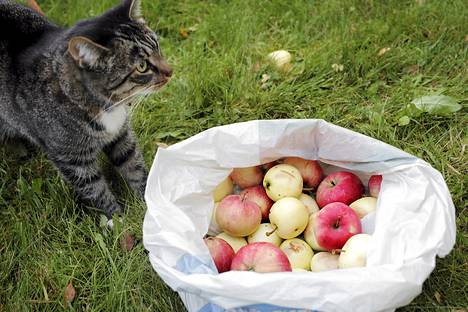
{"x": 414, "y": 222}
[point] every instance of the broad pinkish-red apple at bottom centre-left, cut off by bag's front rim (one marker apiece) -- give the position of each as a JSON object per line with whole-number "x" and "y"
{"x": 261, "y": 257}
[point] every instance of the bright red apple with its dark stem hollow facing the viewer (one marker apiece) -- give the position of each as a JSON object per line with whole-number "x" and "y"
{"x": 334, "y": 224}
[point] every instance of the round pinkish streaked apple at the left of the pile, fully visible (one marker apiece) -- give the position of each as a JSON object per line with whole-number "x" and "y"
{"x": 237, "y": 216}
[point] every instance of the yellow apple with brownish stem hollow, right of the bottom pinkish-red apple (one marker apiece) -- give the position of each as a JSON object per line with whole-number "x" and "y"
{"x": 298, "y": 252}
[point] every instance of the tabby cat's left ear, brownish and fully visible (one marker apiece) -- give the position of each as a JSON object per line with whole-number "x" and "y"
{"x": 85, "y": 51}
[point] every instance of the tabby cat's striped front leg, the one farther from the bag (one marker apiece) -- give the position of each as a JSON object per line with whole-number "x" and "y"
{"x": 87, "y": 180}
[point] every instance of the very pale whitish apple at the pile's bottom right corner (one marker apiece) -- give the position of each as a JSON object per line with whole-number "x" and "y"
{"x": 354, "y": 252}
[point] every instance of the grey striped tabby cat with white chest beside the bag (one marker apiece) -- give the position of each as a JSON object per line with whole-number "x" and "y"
{"x": 67, "y": 91}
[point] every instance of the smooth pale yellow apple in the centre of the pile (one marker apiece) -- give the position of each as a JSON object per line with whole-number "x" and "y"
{"x": 289, "y": 217}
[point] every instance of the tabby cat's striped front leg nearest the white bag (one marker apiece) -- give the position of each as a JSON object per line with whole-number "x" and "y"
{"x": 127, "y": 159}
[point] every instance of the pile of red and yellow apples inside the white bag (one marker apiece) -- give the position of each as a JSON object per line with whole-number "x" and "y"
{"x": 273, "y": 223}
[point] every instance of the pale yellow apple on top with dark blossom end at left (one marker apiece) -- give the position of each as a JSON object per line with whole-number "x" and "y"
{"x": 283, "y": 181}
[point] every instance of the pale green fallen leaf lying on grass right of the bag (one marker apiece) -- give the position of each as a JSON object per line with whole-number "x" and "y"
{"x": 437, "y": 104}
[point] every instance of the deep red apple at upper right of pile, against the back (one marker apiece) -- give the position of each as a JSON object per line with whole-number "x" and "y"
{"x": 344, "y": 187}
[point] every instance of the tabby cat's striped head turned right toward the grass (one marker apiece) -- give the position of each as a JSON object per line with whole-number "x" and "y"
{"x": 117, "y": 54}
